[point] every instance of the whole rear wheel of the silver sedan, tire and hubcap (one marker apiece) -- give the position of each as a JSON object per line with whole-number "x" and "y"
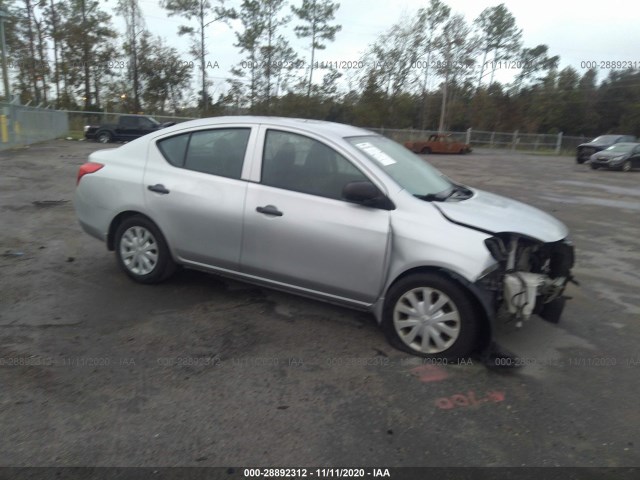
{"x": 142, "y": 251}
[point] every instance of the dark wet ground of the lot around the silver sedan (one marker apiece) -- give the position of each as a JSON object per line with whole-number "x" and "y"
{"x": 97, "y": 370}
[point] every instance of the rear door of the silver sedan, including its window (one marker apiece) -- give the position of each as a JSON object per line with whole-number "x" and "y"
{"x": 195, "y": 193}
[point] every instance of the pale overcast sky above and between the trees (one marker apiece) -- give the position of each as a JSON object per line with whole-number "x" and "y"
{"x": 575, "y": 31}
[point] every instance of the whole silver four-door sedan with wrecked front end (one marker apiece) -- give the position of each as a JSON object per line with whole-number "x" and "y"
{"x": 332, "y": 212}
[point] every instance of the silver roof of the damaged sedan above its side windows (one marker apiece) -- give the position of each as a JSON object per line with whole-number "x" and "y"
{"x": 319, "y": 126}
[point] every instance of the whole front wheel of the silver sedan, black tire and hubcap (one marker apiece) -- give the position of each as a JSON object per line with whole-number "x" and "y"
{"x": 451, "y": 338}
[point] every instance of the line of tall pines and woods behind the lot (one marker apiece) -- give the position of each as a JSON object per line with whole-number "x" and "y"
{"x": 432, "y": 69}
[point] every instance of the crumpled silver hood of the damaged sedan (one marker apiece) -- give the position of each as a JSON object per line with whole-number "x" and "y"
{"x": 494, "y": 213}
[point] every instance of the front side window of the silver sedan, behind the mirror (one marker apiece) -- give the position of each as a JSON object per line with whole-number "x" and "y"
{"x": 302, "y": 164}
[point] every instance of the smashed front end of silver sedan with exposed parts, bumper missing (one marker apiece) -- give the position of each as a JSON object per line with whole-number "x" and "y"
{"x": 529, "y": 276}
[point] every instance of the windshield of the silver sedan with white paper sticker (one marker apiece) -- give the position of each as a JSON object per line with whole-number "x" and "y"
{"x": 407, "y": 169}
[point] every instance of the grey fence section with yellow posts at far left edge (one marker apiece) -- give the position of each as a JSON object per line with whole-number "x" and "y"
{"x": 21, "y": 125}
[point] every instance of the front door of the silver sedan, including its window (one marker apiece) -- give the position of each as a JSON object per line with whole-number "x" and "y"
{"x": 299, "y": 231}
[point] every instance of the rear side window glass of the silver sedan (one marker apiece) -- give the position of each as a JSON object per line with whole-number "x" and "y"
{"x": 216, "y": 152}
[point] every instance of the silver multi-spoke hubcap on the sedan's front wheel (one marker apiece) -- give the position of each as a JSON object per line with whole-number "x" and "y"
{"x": 426, "y": 320}
